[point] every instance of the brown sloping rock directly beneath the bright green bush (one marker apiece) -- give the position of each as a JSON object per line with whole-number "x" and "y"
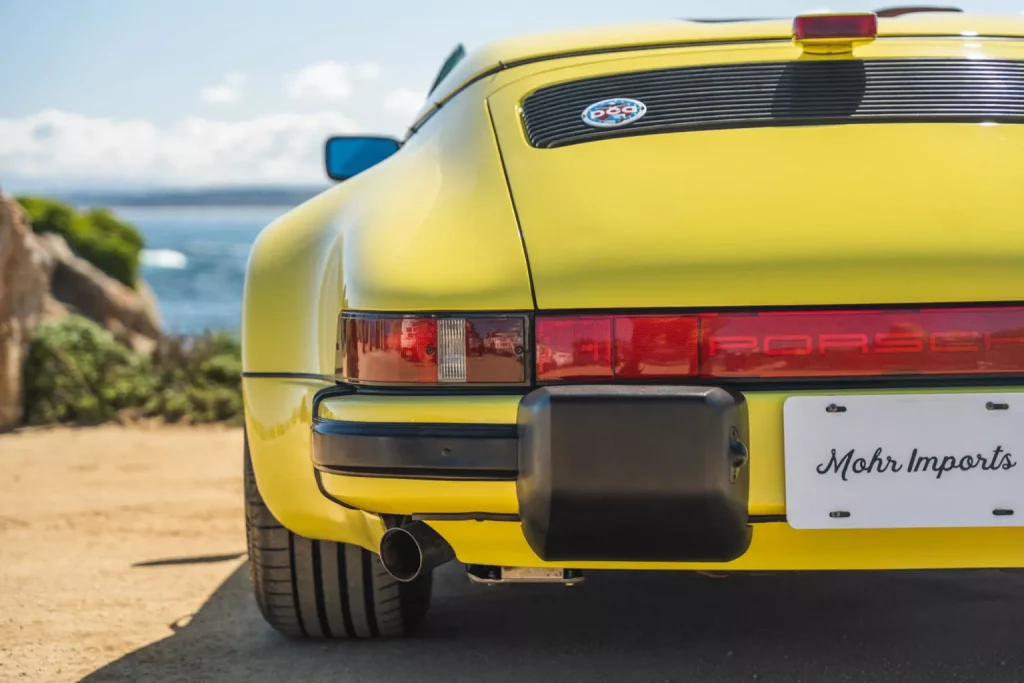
{"x": 131, "y": 314}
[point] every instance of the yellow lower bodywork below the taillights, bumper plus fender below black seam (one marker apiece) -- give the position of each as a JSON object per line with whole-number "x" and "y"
{"x": 481, "y": 519}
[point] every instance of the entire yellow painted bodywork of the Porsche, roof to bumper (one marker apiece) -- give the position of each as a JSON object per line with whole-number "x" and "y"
{"x": 840, "y": 215}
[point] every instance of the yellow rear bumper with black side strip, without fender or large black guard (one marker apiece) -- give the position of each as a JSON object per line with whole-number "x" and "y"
{"x": 478, "y": 504}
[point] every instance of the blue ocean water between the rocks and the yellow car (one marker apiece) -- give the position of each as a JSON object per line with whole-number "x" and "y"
{"x": 195, "y": 261}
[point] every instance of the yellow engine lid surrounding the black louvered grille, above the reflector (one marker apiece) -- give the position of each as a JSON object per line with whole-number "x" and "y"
{"x": 873, "y": 214}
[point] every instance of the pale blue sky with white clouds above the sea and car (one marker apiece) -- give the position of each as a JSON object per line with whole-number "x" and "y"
{"x": 191, "y": 93}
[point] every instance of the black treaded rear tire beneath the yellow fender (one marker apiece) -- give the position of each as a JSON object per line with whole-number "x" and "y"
{"x": 319, "y": 589}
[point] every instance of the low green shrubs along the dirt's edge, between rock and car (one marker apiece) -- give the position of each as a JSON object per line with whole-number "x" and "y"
{"x": 77, "y": 373}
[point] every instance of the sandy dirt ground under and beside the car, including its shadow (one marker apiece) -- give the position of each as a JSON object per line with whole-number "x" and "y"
{"x": 121, "y": 561}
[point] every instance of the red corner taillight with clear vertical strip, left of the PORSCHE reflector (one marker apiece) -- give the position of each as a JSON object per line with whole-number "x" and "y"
{"x": 401, "y": 350}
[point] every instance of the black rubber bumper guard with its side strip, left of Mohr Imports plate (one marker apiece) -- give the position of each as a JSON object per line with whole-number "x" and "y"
{"x": 636, "y": 474}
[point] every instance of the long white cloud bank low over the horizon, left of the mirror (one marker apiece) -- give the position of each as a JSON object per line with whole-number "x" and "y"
{"x": 279, "y": 148}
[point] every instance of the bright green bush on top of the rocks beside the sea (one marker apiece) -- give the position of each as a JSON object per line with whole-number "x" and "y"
{"x": 99, "y": 237}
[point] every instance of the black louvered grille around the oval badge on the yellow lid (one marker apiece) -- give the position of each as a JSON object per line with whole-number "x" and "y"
{"x": 784, "y": 95}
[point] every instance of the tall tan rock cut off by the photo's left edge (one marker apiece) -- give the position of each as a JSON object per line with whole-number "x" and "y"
{"x": 24, "y": 302}
